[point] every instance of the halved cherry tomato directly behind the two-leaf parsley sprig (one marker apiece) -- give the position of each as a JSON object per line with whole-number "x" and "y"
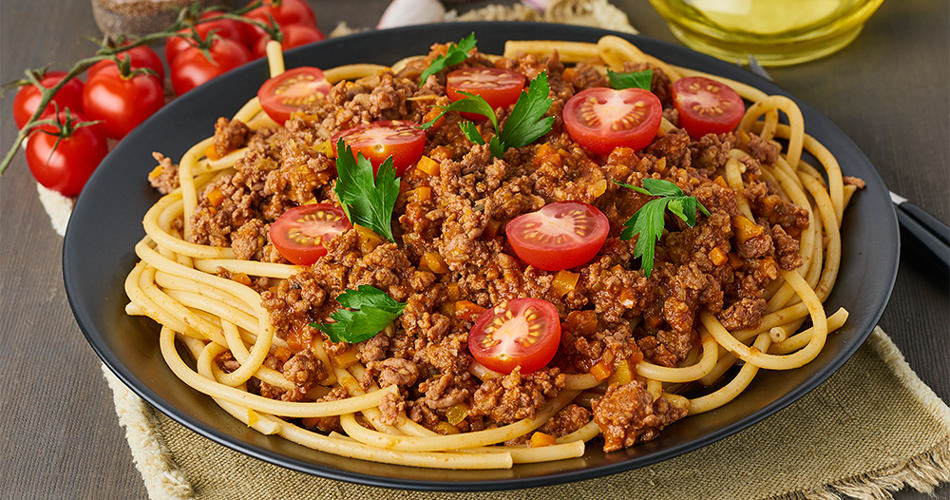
{"x": 500, "y": 88}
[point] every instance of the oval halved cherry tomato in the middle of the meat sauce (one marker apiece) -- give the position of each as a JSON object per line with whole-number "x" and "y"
{"x": 561, "y": 235}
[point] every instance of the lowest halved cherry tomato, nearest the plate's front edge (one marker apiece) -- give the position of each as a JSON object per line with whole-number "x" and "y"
{"x": 519, "y": 332}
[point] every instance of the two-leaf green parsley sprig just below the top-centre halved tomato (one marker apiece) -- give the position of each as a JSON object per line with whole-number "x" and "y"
{"x": 525, "y": 123}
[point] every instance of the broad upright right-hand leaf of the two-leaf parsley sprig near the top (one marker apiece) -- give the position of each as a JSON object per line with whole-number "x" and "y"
{"x": 527, "y": 122}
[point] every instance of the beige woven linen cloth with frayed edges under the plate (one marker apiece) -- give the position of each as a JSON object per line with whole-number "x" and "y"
{"x": 872, "y": 428}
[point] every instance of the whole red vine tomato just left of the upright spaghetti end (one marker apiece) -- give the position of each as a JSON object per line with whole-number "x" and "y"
{"x": 191, "y": 68}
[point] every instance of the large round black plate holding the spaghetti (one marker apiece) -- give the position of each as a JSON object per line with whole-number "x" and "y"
{"x": 106, "y": 223}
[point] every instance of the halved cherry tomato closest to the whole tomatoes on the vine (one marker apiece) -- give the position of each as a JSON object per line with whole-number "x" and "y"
{"x": 292, "y": 90}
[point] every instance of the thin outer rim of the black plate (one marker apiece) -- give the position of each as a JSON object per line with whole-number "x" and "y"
{"x": 117, "y": 367}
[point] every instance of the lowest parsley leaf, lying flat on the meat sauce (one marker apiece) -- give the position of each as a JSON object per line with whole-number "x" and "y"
{"x": 372, "y": 312}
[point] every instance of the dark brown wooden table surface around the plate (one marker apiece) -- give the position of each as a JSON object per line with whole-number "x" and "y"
{"x": 888, "y": 90}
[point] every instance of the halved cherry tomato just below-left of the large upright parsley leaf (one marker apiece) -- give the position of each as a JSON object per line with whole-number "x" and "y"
{"x": 301, "y": 233}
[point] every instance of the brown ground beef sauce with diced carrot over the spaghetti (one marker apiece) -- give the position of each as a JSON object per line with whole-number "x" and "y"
{"x": 613, "y": 309}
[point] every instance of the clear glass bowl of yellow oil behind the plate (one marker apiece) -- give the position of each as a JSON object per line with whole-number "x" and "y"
{"x": 776, "y": 32}
